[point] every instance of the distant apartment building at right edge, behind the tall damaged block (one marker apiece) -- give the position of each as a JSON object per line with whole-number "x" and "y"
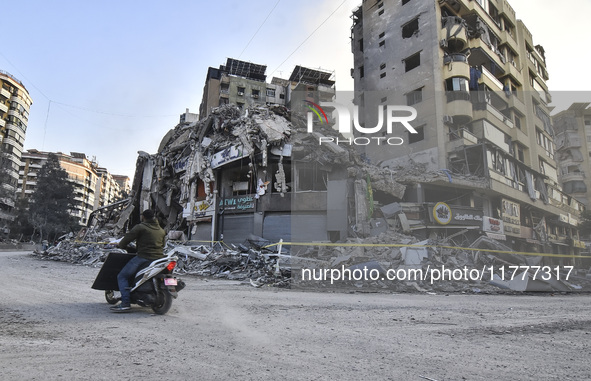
{"x": 573, "y": 151}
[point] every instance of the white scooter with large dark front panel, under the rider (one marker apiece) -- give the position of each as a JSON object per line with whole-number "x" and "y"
{"x": 153, "y": 286}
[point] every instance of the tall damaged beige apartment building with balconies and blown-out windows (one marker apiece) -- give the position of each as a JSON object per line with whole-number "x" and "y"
{"x": 478, "y": 83}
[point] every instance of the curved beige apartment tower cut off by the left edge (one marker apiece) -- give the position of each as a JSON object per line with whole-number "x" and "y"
{"x": 15, "y": 104}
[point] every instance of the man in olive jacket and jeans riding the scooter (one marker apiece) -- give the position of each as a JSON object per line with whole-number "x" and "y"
{"x": 150, "y": 240}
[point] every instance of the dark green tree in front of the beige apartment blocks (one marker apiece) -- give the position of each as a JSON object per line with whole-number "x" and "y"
{"x": 52, "y": 201}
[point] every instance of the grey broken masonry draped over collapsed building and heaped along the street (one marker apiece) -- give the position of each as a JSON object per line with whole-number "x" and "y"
{"x": 255, "y": 261}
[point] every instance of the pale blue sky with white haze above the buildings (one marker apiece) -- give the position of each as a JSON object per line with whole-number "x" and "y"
{"x": 116, "y": 75}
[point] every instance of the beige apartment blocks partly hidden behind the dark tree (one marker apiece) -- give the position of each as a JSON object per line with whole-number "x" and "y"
{"x": 93, "y": 186}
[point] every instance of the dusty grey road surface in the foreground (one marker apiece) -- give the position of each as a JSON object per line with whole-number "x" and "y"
{"x": 54, "y": 326}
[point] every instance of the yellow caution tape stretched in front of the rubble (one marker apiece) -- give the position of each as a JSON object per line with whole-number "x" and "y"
{"x": 424, "y": 246}
